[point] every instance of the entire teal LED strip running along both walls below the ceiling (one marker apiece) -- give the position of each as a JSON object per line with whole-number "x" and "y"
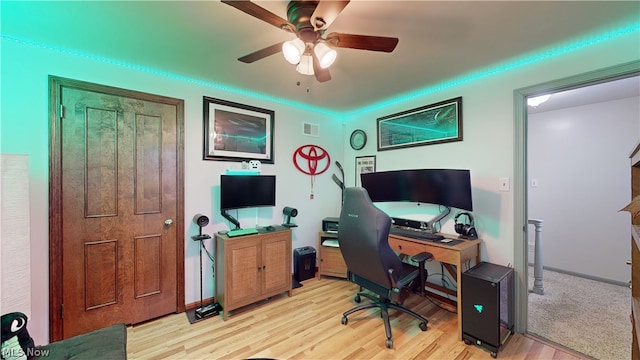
{"x": 391, "y": 101}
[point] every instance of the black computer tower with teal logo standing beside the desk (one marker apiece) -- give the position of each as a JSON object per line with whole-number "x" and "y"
{"x": 487, "y": 305}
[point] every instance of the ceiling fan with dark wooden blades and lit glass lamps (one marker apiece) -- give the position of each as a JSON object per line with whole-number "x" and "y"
{"x": 309, "y": 20}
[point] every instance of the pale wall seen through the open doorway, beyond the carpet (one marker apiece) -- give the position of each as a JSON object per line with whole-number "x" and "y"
{"x": 579, "y": 159}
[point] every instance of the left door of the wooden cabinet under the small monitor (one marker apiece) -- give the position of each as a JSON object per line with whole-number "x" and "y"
{"x": 243, "y": 269}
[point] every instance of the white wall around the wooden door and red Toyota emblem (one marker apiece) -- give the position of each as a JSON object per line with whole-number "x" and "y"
{"x": 25, "y": 130}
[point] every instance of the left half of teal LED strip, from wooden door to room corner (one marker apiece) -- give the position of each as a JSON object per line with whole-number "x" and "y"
{"x": 169, "y": 75}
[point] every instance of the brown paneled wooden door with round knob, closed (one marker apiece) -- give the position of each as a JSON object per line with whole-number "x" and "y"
{"x": 121, "y": 203}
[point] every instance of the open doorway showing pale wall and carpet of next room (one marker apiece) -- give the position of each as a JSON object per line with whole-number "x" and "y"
{"x": 579, "y": 177}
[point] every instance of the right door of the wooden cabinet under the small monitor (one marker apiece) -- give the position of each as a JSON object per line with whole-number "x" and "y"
{"x": 276, "y": 253}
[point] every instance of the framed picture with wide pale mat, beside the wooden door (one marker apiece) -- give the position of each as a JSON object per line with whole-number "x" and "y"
{"x": 237, "y": 132}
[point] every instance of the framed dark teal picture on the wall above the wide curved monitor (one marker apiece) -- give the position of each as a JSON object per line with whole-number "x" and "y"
{"x": 432, "y": 124}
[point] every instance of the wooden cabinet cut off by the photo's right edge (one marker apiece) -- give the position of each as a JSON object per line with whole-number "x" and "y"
{"x": 635, "y": 254}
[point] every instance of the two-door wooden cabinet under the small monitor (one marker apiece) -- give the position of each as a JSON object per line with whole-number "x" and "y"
{"x": 252, "y": 268}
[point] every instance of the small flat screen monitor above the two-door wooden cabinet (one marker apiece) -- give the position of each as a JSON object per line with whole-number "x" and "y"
{"x": 245, "y": 191}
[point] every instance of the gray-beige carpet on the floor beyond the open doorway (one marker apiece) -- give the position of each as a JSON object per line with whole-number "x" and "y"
{"x": 588, "y": 316}
